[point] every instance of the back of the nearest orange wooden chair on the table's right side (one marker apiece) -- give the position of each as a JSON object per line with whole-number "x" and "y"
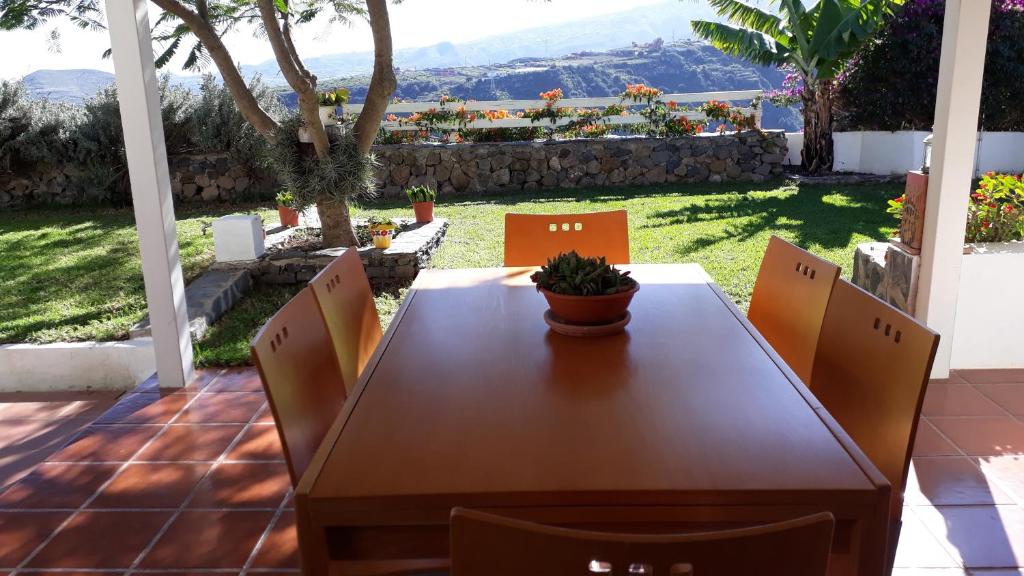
{"x": 871, "y": 374}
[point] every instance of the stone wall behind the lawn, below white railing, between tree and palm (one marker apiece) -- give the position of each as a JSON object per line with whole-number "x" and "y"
{"x": 473, "y": 169}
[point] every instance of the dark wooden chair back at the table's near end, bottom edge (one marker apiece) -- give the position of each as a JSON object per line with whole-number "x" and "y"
{"x": 484, "y": 545}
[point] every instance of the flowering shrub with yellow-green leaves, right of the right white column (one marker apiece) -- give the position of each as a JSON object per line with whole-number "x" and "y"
{"x": 997, "y": 210}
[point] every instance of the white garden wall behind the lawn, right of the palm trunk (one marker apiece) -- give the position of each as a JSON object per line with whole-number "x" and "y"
{"x": 897, "y": 153}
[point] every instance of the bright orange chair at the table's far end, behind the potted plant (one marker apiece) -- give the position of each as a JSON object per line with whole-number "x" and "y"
{"x": 532, "y": 239}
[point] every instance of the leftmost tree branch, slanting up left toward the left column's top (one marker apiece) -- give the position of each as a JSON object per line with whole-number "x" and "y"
{"x": 247, "y": 103}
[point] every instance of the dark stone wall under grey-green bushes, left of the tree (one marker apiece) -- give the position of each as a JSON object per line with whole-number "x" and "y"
{"x": 194, "y": 179}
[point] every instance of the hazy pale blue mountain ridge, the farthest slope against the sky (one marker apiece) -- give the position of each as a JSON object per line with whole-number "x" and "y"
{"x": 670, "y": 21}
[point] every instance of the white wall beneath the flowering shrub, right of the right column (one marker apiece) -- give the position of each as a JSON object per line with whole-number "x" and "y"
{"x": 990, "y": 318}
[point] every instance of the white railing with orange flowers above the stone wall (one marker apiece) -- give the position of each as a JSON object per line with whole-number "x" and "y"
{"x": 511, "y": 106}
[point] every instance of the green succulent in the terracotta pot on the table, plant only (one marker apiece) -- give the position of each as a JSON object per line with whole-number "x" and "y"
{"x": 573, "y": 275}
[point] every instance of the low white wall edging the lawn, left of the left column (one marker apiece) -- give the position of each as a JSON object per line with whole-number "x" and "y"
{"x": 76, "y": 366}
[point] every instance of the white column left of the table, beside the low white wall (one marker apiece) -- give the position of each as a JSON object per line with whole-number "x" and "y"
{"x": 139, "y": 96}
